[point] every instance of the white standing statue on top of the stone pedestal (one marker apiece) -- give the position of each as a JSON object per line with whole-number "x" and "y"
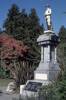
{"x": 48, "y": 13}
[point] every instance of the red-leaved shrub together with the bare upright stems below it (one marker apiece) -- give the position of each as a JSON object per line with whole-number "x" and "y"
{"x": 13, "y": 57}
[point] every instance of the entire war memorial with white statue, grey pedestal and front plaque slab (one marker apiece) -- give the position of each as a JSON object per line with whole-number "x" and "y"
{"x": 48, "y": 68}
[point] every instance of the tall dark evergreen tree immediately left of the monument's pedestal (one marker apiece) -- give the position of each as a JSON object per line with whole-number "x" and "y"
{"x": 35, "y": 29}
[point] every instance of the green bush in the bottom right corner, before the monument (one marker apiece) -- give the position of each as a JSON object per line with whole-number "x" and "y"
{"x": 55, "y": 91}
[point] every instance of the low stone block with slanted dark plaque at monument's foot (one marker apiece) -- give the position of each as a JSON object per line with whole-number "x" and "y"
{"x": 32, "y": 87}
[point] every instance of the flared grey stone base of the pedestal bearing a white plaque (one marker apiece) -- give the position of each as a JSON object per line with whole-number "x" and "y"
{"x": 47, "y": 71}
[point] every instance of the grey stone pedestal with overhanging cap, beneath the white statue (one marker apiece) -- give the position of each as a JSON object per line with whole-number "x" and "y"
{"x": 48, "y": 68}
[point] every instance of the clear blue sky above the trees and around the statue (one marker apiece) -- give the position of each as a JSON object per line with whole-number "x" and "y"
{"x": 58, "y": 8}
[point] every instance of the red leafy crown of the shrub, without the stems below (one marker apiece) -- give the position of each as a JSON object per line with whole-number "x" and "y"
{"x": 11, "y": 47}
